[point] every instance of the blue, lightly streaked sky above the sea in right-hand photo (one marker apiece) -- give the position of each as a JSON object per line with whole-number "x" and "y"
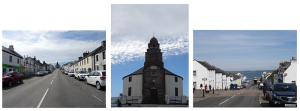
{"x": 244, "y": 49}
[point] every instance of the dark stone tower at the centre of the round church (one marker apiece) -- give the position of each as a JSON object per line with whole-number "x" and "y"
{"x": 153, "y": 88}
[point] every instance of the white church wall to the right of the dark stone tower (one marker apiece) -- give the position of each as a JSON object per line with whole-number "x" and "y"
{"x": 171, "y": 85}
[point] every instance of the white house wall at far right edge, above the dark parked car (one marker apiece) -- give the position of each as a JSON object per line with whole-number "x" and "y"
{"x": 291, "y": 73}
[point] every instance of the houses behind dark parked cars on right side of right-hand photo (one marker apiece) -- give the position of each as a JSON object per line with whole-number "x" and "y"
{"x": 285, "y": 73}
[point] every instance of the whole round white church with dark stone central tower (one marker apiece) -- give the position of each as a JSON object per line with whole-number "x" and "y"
{"x": 153, "y": 83}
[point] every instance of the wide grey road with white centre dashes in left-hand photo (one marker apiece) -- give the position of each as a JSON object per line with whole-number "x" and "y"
{"x": 53, "y": 91}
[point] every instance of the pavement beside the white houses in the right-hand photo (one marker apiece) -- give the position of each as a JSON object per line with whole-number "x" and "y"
{"x": 198, "y": 95}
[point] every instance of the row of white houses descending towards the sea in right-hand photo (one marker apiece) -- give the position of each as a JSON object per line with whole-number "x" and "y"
{"x": 217, "y": 78}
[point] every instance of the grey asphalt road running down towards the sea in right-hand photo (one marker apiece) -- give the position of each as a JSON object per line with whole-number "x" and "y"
{"x": 244, "y": 98}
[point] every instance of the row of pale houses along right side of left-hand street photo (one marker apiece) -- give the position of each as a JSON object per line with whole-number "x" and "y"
{"x": 89, "y": 61}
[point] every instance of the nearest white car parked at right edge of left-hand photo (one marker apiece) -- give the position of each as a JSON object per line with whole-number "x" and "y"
{"x": 97, "y": 78}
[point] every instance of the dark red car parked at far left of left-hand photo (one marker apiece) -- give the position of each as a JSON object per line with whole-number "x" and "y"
{"x": 11, "y": 77}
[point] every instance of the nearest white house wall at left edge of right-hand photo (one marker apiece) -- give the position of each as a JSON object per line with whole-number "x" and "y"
{"x": 201, "y": 72}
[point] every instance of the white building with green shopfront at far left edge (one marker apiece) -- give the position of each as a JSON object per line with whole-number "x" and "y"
{"x": 11, "y": 60}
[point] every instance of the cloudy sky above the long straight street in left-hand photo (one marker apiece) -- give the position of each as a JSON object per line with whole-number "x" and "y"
{"x": 53, "y": 46}
